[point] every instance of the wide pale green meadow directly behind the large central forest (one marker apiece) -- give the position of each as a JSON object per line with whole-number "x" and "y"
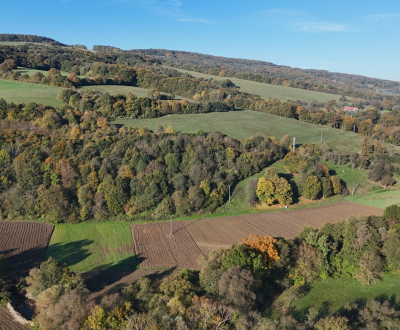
{"x": 245, "y": 123}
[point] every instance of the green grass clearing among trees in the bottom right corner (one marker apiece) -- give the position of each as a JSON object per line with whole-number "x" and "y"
{"x": 329, "y": 296}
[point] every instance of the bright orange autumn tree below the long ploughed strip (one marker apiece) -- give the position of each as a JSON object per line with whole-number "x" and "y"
{"x": 264, "y": 245}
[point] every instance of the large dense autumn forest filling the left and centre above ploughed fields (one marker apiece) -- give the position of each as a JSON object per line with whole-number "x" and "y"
{"x": 68, "y": 166}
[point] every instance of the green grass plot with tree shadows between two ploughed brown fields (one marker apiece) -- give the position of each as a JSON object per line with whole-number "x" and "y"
{"x": 93, "y": 246}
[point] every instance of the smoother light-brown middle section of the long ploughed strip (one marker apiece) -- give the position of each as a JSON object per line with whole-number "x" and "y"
{"x": 210, "y": 234}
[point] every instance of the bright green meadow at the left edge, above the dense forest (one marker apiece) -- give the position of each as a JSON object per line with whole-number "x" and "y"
{"x": 18, "y": 92}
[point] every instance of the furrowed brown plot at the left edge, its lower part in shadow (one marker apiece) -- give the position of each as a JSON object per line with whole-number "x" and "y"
{"x": 24, "y": 244}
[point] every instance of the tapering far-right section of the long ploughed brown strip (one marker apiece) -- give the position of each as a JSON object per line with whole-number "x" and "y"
{"x": 290, "y": 223}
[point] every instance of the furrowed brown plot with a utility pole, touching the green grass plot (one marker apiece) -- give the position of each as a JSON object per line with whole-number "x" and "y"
{"x": 154, "y": 247}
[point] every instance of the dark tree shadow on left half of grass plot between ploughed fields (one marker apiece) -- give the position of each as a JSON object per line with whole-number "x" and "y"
{"x": 70, "y": 253}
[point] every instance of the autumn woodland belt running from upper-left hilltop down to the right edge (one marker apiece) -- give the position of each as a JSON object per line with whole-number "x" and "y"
{"x": 132, "y": 69}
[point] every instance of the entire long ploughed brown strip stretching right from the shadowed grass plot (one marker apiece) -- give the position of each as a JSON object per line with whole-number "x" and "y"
{"x": 155, "y": 248}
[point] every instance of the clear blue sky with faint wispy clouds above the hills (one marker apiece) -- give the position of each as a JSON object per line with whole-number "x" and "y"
{"x": 359, "y": 37}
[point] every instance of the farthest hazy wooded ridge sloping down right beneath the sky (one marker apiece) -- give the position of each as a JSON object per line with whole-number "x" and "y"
{"x": 268, "y": 72}
